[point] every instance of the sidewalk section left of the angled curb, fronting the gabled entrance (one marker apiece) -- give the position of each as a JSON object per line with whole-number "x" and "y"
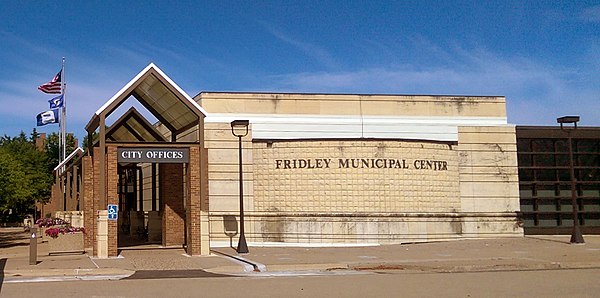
{"x": 14, "y": 261}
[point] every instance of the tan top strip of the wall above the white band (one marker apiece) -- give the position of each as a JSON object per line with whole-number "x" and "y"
{"x": 349, "y": 104}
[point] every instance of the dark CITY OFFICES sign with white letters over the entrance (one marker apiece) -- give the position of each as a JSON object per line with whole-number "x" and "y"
{"x": 156, "y": 155}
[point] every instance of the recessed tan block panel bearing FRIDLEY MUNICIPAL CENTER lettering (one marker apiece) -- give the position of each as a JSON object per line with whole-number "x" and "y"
{"x": 363, "y": 189}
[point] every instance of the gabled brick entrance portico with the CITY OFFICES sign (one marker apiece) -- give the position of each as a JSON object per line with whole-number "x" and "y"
{"x": 171, "y": 150}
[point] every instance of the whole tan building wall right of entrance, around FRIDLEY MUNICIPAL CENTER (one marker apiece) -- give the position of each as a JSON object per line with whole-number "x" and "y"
{"x": 473, "y": 196}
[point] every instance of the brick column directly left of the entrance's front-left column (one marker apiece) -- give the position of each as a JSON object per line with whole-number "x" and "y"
{"x": 87, "y": 199}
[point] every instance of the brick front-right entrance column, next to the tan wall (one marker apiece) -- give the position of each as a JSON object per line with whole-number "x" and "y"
{"x": 193, "y": 202}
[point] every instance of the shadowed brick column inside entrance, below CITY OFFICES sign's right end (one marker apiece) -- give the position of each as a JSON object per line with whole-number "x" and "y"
{"x": 171, "y": 194}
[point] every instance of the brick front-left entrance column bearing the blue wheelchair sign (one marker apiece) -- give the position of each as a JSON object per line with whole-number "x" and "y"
{"x": 113, "y": 197}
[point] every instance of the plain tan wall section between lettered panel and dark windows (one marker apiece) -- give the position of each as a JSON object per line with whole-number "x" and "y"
{"x": 489, "y": 180}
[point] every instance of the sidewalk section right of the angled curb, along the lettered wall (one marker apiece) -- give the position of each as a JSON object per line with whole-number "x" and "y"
{"x": 526, "y": 253}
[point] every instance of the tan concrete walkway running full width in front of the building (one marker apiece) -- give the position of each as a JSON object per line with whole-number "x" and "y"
{"x": 525, "y": 253}
